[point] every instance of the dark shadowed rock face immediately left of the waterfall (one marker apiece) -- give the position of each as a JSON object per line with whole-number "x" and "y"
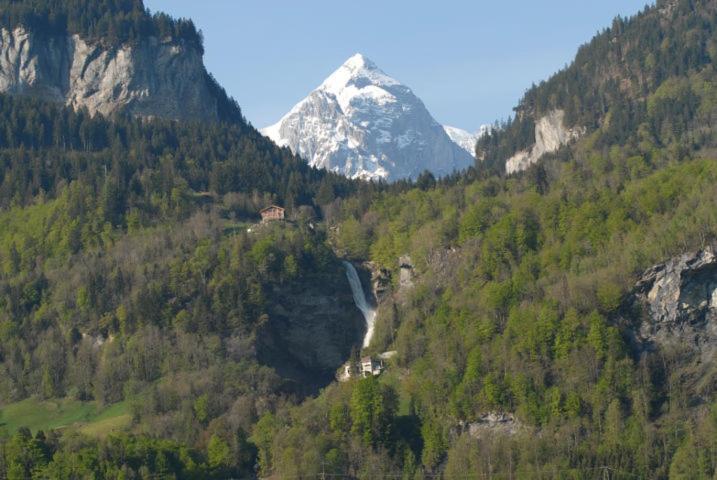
{"x": 312, "y": 327}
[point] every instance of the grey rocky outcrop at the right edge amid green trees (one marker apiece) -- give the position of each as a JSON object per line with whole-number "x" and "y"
{"x": 680, "y": 299}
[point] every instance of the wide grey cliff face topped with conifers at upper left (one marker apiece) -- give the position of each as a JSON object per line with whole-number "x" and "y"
{"x": 153, "y": 78}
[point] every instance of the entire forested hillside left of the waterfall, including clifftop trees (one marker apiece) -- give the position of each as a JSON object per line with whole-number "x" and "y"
{"x": 133, "y": 277}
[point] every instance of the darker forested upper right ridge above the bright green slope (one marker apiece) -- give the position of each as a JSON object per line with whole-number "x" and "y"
{"x": 646, "y": 79}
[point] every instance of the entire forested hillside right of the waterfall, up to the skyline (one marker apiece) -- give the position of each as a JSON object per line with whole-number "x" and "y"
{"x": 519, "y": 309}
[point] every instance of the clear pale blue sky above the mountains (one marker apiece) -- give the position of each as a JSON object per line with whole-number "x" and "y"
{"x": 469, "y": 61}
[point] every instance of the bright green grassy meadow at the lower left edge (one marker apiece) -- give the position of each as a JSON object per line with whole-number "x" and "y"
{"x": 64, "y": 414}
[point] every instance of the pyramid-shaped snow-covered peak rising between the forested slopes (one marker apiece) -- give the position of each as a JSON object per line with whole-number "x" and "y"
{"x": 364, "y": 124}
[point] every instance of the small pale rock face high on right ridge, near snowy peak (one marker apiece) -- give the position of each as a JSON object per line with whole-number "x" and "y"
{"x": 550, "y": 135}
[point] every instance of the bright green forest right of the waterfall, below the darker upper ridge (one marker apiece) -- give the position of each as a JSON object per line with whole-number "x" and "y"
{"x": 516, "y": 313}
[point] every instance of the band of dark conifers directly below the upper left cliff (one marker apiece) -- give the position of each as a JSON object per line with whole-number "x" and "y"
{"x": 140, "y": 166}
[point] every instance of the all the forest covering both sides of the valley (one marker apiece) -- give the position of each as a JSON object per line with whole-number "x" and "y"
{"x": 133, "y": 275}
